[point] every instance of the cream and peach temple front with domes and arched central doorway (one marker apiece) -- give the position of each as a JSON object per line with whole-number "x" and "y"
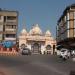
{"x": 36, "y": 40}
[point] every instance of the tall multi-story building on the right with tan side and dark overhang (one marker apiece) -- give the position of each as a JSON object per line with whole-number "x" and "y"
{"x": 66, "y": 28}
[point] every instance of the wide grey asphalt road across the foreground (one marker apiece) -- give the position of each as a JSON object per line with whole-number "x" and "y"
{"x": 35, "y": 65}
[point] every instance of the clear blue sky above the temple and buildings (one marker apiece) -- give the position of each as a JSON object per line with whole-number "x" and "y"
{"x": 43, "y": 12}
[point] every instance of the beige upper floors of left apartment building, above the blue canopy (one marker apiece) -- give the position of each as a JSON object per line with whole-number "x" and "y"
{"x": 8, "y": 25}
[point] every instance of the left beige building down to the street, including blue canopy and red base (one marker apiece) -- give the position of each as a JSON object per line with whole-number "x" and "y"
{"x": 8, "y": 32}
